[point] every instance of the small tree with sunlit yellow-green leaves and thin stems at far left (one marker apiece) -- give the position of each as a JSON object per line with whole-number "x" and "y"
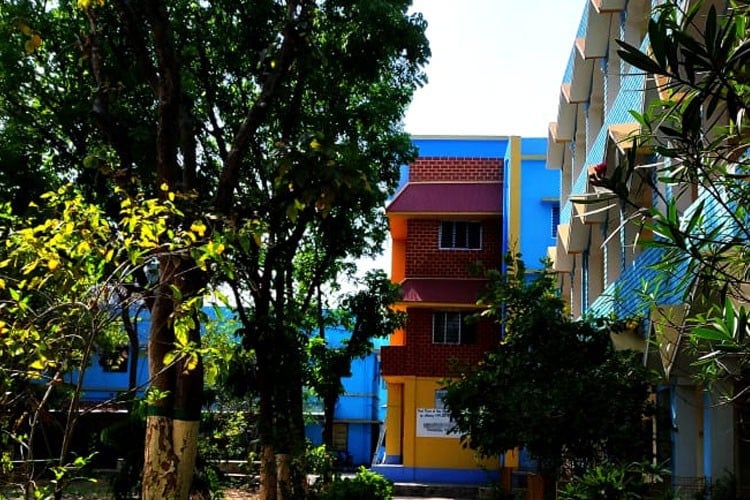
{"x": 61, "y": 300}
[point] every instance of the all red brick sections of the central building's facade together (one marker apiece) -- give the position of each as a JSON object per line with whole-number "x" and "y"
{"x": 423, "y": 258}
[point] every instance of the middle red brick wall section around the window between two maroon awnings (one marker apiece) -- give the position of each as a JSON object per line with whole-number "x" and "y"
{"x": 424, "y": 258}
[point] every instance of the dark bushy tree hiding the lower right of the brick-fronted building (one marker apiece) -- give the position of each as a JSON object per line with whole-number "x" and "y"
{"x": 553, "y": 386}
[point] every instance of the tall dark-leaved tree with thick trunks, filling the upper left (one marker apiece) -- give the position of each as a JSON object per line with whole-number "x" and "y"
{"x": 273, "y": 125}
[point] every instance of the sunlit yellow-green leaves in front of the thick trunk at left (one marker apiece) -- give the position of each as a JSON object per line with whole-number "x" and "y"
{"x": 66, "y": 273}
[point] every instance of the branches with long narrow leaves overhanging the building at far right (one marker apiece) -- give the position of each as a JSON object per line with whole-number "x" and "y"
{"x": 697, "y": 128}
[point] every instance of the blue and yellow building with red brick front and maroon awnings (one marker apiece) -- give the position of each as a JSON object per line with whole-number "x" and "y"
{"x": 460, "y": 207}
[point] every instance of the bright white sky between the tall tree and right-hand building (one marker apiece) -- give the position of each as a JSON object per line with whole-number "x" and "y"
{"x": 496, "y": 66}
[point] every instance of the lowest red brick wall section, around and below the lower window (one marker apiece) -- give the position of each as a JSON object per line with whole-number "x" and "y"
{"x": 421, "y": 358}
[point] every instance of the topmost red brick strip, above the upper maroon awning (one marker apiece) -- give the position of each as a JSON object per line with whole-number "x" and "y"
{"x": 456, "y": 170}
